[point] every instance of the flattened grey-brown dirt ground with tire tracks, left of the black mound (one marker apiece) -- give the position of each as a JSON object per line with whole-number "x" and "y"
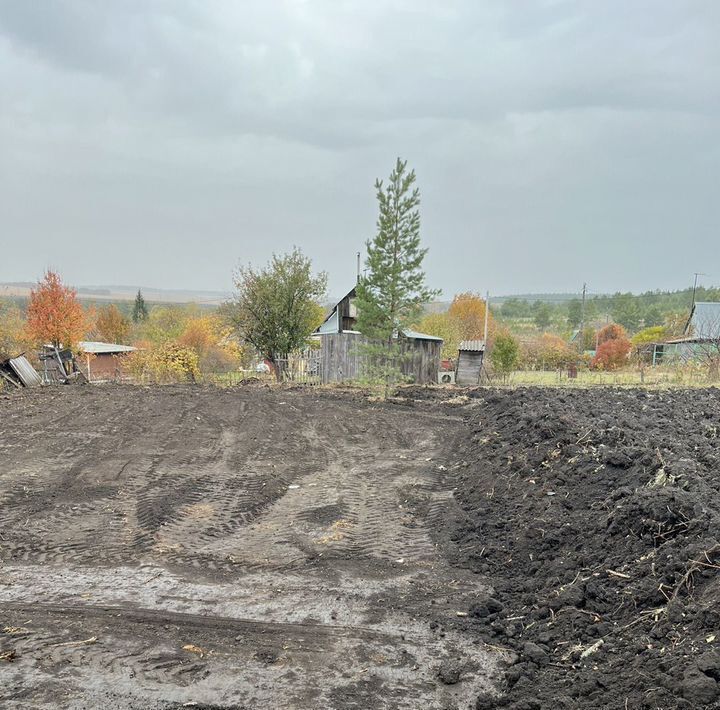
{"x": 251, "y": 548}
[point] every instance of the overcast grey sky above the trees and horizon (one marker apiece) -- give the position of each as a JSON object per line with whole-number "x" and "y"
{"x": 158, "y": 142}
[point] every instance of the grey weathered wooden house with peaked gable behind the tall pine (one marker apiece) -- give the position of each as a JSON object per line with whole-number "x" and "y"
{"x": 341, "y": 360}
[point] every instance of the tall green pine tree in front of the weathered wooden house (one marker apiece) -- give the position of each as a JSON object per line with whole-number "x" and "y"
{"x": 393, "y": 292}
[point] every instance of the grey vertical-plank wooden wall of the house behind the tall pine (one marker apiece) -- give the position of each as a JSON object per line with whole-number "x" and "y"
{"x": 342, "y": 362}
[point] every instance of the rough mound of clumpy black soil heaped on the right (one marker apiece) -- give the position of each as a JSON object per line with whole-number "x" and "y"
{"x": 595, "y": 515}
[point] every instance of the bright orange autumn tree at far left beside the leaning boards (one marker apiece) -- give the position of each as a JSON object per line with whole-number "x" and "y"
{"x": 54, "y": 314}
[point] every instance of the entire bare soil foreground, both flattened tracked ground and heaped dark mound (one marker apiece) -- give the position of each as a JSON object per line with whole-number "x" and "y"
{"x": 256, "y": 547}
